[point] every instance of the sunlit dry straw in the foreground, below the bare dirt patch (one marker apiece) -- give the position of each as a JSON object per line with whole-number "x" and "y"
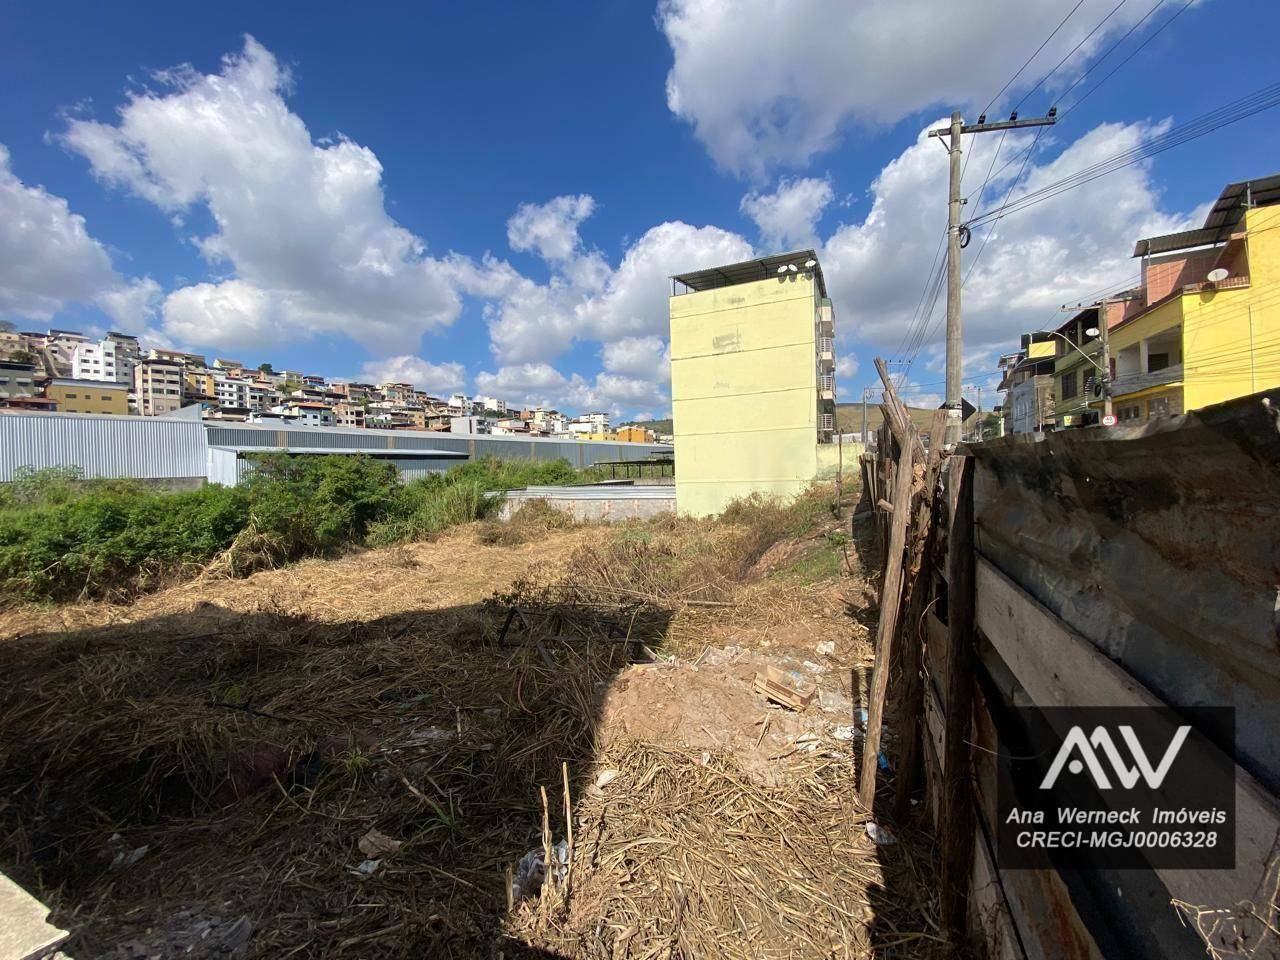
{"x": 683, "y": 856}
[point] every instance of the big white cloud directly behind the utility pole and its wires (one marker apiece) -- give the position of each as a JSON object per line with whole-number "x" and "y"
{"x": 1034, "y": 262}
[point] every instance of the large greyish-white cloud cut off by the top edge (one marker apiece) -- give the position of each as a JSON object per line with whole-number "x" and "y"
{"x": 771, "y": 84}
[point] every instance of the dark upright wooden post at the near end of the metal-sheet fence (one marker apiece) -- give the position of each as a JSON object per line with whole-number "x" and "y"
{"x": 957, "y": 810}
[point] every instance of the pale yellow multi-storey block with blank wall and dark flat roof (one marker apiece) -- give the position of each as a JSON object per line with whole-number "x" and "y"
{"x": 752, "y": 380}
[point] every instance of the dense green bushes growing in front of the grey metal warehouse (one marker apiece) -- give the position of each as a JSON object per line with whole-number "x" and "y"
{"x": 63, "y": 537}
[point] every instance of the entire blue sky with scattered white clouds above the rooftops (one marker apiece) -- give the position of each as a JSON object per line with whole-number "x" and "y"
{"x": 488, "y": 198}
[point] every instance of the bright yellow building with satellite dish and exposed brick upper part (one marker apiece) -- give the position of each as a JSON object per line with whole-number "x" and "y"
{"x": 1209, "y": 330}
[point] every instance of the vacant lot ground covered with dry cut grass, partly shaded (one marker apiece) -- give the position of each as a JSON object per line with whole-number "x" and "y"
{"x": 346, "y": 758}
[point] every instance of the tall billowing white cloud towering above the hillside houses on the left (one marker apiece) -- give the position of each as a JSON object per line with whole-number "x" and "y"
{"x": 300, "y": 223}
